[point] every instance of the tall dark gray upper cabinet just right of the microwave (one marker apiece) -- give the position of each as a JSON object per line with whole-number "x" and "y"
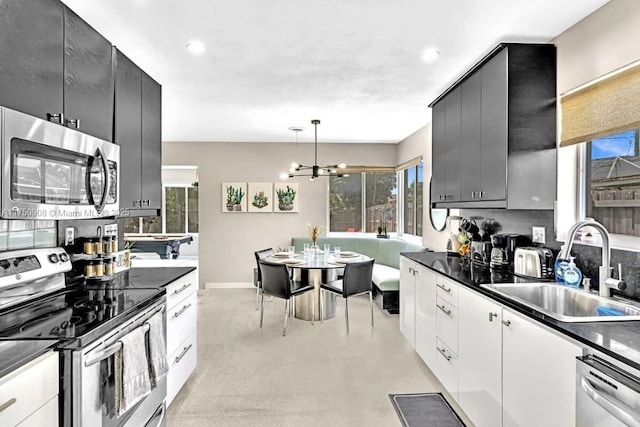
{"x": 137, "y": 129}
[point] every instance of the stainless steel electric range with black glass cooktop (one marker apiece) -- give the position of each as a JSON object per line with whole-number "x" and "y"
{"x": 87, "y": 321}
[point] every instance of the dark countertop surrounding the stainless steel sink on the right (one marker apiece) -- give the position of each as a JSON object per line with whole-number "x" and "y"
{"x": 620, "y": 340}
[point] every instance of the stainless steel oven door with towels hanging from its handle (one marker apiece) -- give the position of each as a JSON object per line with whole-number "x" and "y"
{"x": 92, "y": 387}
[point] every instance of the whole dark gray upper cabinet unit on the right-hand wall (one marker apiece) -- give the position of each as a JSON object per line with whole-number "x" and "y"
{"x": 506, "y": 132}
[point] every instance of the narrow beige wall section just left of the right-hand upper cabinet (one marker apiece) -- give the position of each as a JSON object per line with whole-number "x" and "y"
{"x": 419, "y": 144}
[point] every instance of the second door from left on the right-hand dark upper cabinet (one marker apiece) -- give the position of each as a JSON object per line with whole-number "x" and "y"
{"x": 452, "y": 148}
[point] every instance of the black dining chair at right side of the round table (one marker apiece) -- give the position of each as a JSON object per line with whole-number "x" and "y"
{"x": 356, "y": 281}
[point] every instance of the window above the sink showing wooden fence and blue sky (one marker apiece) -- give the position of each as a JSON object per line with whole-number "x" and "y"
{"x": 613, "y": 180}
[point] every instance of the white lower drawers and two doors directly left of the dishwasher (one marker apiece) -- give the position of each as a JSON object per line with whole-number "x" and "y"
{"x": 503, "y": 368}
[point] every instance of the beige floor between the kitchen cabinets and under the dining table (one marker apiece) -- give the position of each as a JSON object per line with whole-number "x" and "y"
{"x": 315, "y": 376}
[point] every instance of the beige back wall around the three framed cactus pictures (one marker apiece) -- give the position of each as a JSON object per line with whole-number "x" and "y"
{"x": 227, "y": 240}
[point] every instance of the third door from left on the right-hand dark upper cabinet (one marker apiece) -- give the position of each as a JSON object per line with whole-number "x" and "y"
{"x": 470, "y": 148}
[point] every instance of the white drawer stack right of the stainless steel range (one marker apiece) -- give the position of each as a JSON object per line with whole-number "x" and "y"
{"x": 181, "y": 332}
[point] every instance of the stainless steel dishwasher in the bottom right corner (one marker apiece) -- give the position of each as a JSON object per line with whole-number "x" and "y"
{"x": 607, "y": 395}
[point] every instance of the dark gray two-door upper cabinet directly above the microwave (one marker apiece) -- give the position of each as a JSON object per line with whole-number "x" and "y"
{"x": 53, "y": 65}
